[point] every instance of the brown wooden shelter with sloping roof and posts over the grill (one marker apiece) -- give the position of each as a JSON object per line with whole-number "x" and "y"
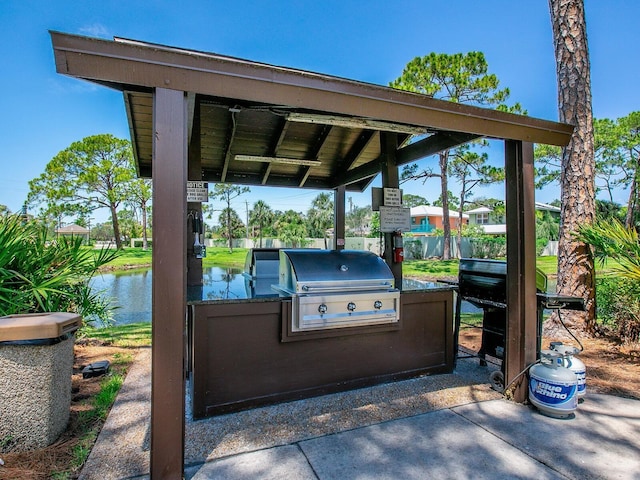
{"x": 202, "y": 116}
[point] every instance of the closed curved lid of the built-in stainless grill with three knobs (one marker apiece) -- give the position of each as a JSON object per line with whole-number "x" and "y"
{"x": 308, "y": 271}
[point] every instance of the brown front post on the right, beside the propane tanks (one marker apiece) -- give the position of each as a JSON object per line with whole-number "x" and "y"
{"x": 521, "y": 333}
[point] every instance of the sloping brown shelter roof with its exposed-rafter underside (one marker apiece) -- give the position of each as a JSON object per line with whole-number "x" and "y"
{"x": 260, "y": 124}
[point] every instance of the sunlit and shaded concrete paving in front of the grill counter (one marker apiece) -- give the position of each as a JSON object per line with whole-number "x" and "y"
{"x": 481, "y": 436}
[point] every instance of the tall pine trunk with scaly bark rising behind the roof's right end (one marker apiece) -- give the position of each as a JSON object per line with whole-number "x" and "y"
{"x": 575, "y": 259}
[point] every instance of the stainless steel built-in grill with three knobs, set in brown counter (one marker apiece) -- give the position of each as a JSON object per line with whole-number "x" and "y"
{"x": 336, "y": 289}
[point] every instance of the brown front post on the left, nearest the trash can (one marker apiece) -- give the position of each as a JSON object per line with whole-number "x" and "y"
{"x": 169, "y": 283}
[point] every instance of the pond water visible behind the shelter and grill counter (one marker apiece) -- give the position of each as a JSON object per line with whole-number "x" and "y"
{"x": 131, "y": 290}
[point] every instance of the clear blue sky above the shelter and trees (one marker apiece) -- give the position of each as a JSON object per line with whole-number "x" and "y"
{"x": 367, "y": 40}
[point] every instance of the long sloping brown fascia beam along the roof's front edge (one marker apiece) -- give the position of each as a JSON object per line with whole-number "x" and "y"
{"x": 124, "y": 63}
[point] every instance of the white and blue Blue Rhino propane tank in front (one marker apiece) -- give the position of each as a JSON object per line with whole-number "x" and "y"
{"x": 552, "y": 387}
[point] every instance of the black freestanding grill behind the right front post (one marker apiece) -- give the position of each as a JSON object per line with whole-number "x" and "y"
{"x": 483, "y": 283}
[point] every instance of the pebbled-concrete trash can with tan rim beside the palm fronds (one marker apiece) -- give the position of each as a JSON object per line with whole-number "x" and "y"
{"x": 36, "y": 366}
